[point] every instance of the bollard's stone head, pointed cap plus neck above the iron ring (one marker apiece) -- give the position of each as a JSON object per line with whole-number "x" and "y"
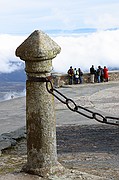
{"x": 37, "y": 51}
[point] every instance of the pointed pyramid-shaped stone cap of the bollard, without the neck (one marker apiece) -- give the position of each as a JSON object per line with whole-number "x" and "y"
{"x": 37, "y": 47}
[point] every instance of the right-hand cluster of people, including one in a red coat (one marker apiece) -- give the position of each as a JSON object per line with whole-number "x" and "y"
{"x": 99, "y": 75}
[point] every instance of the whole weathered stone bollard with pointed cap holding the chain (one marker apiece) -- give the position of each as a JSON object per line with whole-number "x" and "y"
{"x": 37, "y": 51}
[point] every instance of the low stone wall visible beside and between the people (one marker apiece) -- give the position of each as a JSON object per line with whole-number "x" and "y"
{"x": 62, "y": 79}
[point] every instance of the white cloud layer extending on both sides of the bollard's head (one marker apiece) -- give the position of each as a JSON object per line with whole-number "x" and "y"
{"x": 99, "y": 48}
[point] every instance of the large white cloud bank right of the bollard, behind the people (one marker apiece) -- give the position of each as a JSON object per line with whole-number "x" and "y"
{"x": 99, "y": 48}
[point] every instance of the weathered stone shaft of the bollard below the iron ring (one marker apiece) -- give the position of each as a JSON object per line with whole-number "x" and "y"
{"x": 41, "y": 128}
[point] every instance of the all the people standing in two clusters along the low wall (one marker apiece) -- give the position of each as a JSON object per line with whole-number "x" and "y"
{"x": 96, "y": 75}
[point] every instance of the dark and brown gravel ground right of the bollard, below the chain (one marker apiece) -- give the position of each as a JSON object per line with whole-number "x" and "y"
{"x": 92, "y": 149}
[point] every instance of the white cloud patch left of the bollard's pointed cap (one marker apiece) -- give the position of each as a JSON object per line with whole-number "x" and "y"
{"x": 8, "y": 60}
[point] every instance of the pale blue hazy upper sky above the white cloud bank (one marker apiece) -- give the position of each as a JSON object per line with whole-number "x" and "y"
{"x": 24, "y": 16}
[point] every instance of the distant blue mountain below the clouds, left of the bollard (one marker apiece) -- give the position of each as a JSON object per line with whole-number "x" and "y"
{"x": 16, "y": 76}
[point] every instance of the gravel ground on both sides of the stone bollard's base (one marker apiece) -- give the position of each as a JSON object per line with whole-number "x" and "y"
{"x": 89, "y": 149}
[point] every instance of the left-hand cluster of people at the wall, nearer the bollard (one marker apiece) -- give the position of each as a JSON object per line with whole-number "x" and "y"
{"x": 75, "y": 75}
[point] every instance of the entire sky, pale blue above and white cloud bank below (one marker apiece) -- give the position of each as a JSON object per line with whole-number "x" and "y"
{"x": 18, "y": 19}
